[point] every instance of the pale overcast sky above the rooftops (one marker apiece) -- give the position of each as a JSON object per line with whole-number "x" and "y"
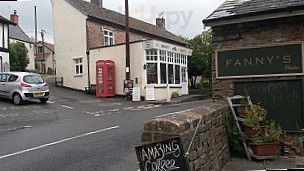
{"x": 183, "y": 17}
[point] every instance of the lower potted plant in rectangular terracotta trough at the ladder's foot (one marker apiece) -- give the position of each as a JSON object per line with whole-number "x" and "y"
{"x": 267, "y": 143}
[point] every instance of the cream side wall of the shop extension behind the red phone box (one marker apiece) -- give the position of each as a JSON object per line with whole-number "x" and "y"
{"x": 117, "y": 54}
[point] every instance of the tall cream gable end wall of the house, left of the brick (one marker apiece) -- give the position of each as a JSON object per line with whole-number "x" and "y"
{"x": 70, "y": 40}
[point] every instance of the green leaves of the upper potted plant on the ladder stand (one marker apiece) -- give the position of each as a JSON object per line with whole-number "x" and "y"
{"x": 255, "y": 115}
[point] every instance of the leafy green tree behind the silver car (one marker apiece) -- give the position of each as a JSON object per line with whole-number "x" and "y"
{"x": 18, "y": 57}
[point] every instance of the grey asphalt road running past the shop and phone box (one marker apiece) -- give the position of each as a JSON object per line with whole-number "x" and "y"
{"x": 90, "y": 134}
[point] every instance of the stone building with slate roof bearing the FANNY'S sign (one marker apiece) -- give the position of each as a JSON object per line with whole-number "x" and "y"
{"x": 258, "y": 51}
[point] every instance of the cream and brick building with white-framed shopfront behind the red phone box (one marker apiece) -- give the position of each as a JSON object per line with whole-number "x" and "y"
{"x": 157, "y": 57}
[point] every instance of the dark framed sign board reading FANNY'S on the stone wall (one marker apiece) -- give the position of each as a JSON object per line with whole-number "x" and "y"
{"x": 260, "y": 62}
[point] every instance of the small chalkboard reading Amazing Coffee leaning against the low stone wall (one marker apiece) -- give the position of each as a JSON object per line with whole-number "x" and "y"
{"x": 165, "y": 156}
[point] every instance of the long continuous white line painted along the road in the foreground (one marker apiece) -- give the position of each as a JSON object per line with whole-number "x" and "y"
{"x": 58, "y": 142}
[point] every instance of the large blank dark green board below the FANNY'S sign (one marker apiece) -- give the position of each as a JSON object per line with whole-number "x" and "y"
{"x": 282, "y": 99}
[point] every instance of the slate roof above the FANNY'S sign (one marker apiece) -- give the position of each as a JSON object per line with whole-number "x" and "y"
{"x": 232, "y": 9}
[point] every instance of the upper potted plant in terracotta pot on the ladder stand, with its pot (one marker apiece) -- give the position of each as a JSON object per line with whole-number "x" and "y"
{"x": 254, "y": 116}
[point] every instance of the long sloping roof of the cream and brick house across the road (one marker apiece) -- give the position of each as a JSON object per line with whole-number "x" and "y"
{"x": 93, "y": 11}
